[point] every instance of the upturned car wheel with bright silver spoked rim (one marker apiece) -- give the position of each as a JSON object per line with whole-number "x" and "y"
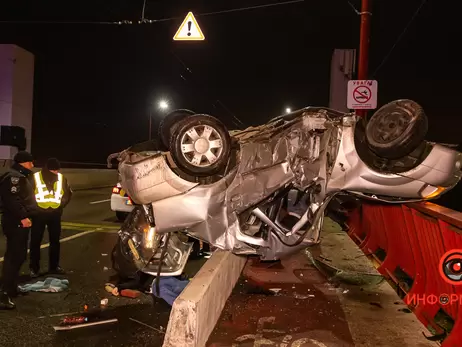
{"x": 200, "y": 145}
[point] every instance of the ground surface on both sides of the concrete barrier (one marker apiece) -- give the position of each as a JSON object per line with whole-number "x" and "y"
{"x": 349, "y": 317}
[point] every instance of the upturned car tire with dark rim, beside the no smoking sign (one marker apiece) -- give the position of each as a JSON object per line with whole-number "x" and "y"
{"x": 396, "y": 129}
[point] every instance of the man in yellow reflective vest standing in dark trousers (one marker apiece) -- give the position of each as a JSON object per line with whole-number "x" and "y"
{"x": 52, "y": 194}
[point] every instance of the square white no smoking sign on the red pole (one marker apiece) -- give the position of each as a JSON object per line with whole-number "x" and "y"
{"x": 362, "y": 95}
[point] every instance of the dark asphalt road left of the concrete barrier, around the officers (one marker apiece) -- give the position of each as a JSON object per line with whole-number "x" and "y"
{"x": 89, "y": 233}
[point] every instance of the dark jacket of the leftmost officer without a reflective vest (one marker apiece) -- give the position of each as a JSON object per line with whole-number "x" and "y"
{"x": 17, "y": 194}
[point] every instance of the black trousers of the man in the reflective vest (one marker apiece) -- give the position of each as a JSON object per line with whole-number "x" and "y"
{"x": 52, "y": 221}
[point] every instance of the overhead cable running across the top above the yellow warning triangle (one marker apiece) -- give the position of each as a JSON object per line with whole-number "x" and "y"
{"x": 150, "y": 21}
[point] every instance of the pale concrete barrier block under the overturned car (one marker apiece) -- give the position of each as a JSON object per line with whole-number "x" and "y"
{"x": 196, "y": 311}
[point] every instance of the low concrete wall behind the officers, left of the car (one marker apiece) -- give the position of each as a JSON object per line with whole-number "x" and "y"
{"x": 86, "y": 178}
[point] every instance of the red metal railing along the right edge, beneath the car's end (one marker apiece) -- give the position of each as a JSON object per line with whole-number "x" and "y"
{"x": 407, "y": 243}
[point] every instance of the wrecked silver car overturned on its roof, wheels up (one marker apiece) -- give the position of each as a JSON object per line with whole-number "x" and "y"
{"x": 265, "y": 190}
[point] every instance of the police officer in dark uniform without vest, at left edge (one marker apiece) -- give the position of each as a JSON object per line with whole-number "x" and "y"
{"x": 18, "y": 206}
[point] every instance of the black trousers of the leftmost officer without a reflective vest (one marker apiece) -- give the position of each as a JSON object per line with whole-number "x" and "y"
{"x": 17, "y": 239}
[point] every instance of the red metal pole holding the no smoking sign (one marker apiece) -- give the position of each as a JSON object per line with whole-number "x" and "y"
{"x": 364, "y": 38}
